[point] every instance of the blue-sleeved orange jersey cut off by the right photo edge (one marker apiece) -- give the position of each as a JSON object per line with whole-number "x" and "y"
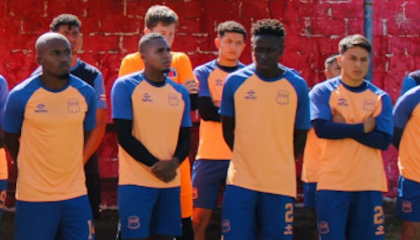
{"x": 407, "y": 117}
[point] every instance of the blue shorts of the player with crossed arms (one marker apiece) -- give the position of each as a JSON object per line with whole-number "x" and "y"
{"x": 350, "y": 215}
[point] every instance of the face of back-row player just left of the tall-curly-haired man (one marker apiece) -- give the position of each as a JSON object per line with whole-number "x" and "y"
{"x": 230, "y": 45}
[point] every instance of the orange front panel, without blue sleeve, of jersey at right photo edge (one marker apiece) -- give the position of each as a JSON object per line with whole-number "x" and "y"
{"x": 409, "y": 151}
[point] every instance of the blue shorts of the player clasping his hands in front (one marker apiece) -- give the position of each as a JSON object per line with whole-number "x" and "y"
{"x": 148, "y": 211}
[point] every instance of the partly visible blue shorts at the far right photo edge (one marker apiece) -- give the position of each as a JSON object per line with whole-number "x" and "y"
{"x": 408, "y": 201}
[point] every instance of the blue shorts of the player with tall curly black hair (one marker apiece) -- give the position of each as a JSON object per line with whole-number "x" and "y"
{"x": 247, "y": 213}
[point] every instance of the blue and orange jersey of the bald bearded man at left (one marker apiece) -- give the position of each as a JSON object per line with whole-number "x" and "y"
{"x": 51, "y": 124}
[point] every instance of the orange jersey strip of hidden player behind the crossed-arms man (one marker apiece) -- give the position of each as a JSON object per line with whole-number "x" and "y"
{"x": 311, "y": 157}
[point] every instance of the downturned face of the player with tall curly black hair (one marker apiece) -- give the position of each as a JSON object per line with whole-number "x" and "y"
{"x": 266, "y": 51}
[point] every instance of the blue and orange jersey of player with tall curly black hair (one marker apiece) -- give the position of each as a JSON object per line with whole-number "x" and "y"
{"x": 266, "y": 112}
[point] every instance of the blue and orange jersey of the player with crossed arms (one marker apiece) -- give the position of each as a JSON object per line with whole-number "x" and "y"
{"x": 347, "y": 165}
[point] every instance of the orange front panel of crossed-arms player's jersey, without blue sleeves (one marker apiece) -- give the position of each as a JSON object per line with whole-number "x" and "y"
{"x": 347, "y": 165}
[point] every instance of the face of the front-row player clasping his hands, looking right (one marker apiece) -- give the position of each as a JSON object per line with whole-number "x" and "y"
{"x": 157, "y": 55}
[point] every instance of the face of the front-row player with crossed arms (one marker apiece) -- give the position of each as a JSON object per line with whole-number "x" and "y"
{"x": 354, "y": 63}
